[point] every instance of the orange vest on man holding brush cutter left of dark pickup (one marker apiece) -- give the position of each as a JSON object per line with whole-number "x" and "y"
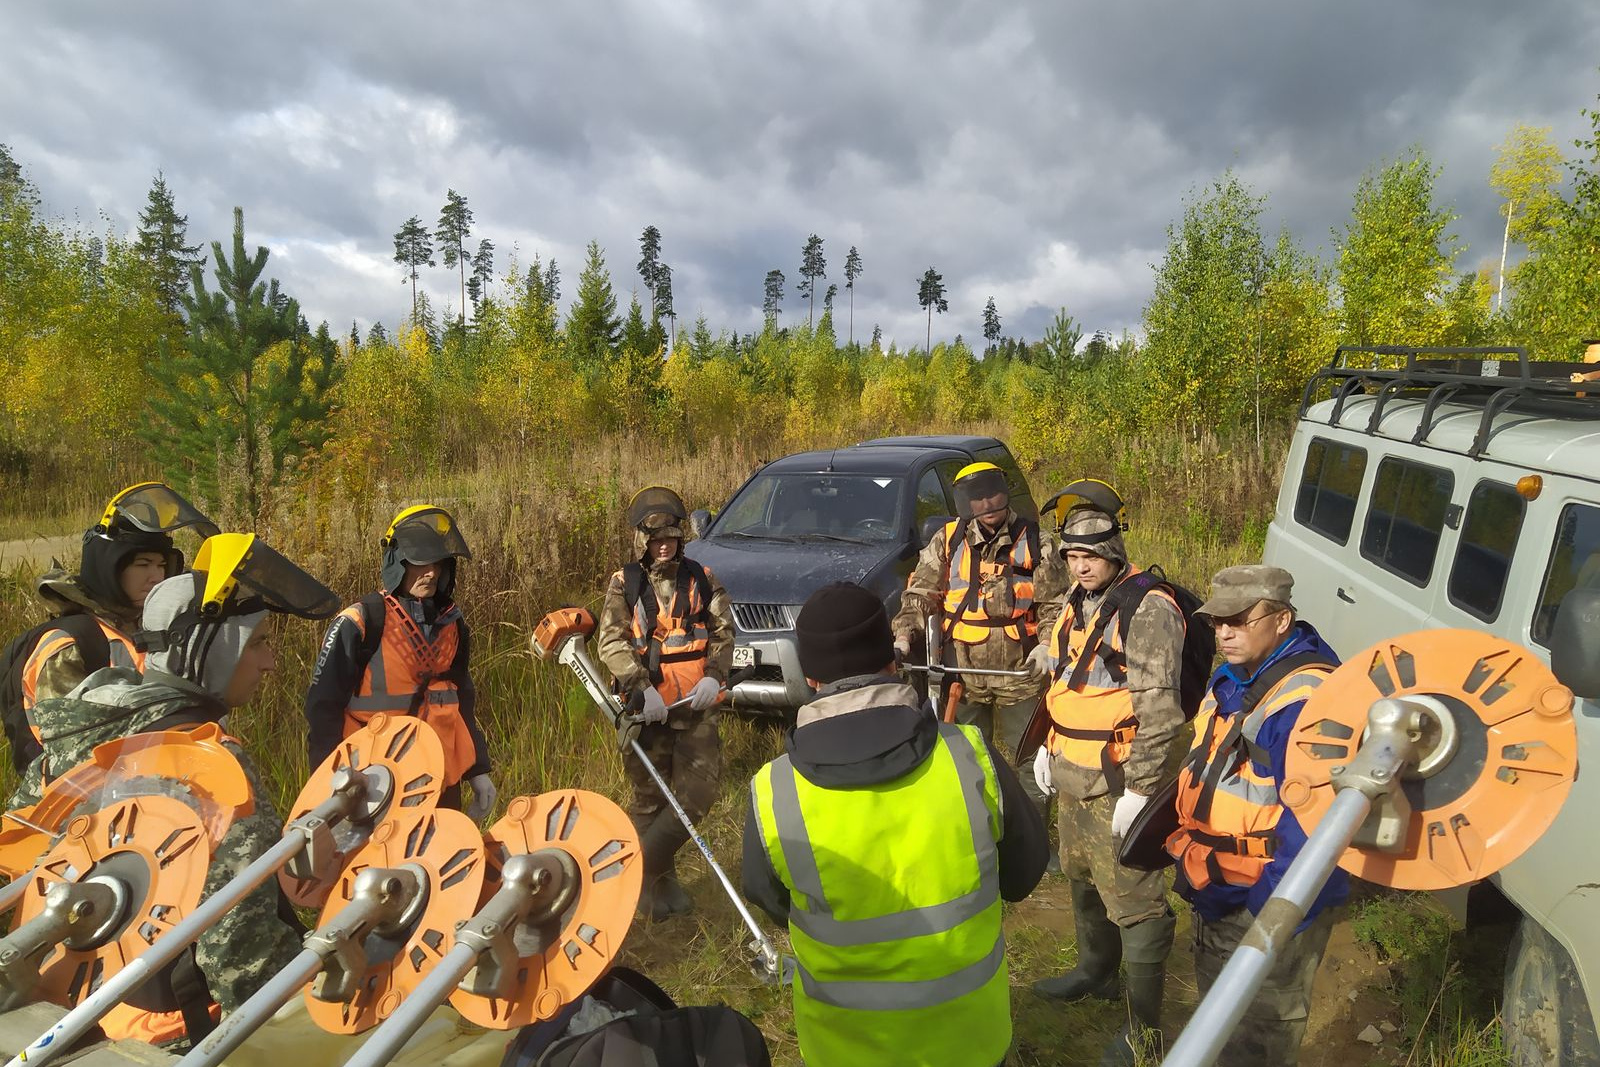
{"x": 671, "y": 644}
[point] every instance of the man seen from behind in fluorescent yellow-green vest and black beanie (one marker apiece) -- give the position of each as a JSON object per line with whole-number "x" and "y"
{"x": 887, "y": 841}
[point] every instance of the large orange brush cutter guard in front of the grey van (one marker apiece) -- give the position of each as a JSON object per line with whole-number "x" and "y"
{"x": 1490, "y": 781}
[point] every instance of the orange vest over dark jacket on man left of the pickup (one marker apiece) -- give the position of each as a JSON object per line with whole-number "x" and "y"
{"x": 407, "y": 676}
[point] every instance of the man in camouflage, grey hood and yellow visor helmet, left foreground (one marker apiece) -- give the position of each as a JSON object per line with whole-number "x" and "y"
{"x": 209, "y": 649}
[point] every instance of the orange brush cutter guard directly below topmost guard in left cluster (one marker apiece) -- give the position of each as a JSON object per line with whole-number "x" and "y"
{"x": 449, "y": 850}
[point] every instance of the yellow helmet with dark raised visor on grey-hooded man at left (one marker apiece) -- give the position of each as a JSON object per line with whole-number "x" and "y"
{"x": 242, "y": 575}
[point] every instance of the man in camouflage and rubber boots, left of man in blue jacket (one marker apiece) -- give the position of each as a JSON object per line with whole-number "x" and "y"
{"x": 1116, "y": 714}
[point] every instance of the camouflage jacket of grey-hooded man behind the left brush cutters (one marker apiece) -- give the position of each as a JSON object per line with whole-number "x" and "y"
{"x": 255, "y": 938}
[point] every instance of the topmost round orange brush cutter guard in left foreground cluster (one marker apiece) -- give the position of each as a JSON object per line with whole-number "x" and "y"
{"x": 406, "y": 761}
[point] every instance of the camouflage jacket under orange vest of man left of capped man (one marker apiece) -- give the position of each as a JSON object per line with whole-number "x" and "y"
{"x": 1154, "y": 657}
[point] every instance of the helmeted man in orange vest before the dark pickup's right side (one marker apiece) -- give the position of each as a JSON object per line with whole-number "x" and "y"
{"x": 996, "y": 586}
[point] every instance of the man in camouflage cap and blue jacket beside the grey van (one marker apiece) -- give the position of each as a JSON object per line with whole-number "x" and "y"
{"x": 1236, "y": 841}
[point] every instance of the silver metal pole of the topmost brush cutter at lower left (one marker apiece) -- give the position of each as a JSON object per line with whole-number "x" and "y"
{"x": 94, "y": 1009}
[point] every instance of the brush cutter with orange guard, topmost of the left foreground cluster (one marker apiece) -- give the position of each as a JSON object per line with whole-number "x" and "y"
{"x": 358, "y": 793}
